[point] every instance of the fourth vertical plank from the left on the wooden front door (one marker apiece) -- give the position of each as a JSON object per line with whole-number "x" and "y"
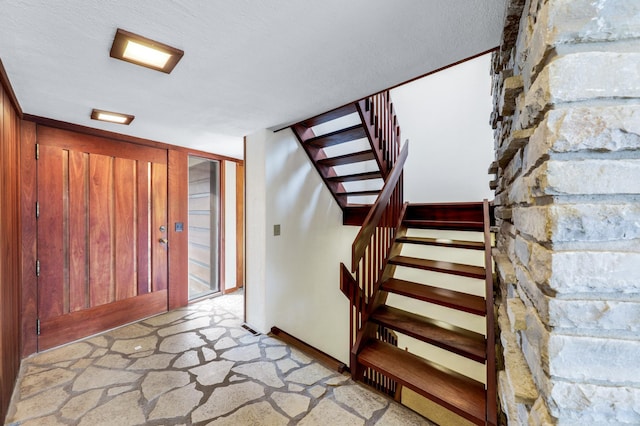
{"x": 125, "y": 232}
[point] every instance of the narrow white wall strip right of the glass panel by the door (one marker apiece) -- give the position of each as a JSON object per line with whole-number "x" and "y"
{"x": 230, "y": 224}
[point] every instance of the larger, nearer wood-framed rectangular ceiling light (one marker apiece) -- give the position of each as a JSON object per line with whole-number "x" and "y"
{"x": 142, "y": 51}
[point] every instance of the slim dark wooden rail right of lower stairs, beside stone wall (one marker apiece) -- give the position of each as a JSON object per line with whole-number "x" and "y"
{"x": 492, "y": 403}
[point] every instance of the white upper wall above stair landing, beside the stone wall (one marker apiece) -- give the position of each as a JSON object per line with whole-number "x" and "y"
{"x": 445, "y": 116}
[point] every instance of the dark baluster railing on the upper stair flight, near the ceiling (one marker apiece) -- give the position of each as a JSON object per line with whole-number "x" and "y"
{"x": 381, "y": 124}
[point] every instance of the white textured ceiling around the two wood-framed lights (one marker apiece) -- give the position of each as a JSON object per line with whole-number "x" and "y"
{"x": 248, "y": 64}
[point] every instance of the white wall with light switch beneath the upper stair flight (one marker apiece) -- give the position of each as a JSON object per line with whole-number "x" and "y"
{"x": 301, "y": 282}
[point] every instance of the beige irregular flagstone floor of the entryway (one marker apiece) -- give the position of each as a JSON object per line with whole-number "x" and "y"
{"x": 194, "y": 365}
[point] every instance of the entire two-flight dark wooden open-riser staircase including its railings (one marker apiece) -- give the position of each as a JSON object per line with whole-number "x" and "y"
{"x": 410, "y": 337}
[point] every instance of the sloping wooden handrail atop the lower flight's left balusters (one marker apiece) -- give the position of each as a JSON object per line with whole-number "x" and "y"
{"x": 372, "y": 220}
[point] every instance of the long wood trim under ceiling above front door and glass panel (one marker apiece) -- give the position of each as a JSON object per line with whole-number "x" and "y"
{"x": 50, "y": 122}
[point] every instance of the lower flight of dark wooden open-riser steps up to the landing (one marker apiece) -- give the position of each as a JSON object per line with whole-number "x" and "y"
{"x": 407, "y": 308}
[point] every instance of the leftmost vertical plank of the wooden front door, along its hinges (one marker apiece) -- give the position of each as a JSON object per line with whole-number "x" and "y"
{"x": 51, "y": 243}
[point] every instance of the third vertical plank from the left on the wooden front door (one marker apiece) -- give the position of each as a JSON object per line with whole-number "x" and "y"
{"x": 101, "y": 279}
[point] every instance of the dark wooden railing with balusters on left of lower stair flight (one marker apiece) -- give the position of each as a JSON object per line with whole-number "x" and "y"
{"x": 370, "y": 251}
